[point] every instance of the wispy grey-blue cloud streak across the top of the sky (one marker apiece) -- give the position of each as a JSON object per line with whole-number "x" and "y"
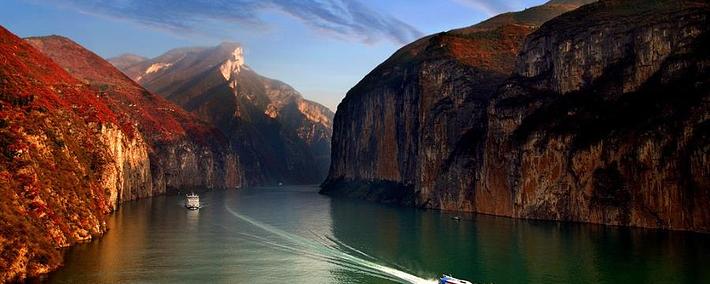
{"x": 346, "y": 19}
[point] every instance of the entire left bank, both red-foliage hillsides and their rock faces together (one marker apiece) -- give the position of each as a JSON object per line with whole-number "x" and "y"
{"x": 75, "y": 143}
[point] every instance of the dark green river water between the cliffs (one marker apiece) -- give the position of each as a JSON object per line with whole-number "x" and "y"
{"x": 294, "y": 235}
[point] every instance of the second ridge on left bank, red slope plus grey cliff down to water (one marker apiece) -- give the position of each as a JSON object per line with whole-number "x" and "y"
{"x": 182, "y": 151}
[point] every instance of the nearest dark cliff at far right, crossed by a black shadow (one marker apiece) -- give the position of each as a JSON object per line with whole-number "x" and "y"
{"x": 606, "y": 122}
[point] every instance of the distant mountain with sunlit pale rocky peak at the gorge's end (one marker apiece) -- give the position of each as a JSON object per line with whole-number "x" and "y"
{"x": 279, "y": 135}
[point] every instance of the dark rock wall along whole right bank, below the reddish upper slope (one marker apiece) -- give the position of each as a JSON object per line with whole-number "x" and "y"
{"x": 604, "y": 120}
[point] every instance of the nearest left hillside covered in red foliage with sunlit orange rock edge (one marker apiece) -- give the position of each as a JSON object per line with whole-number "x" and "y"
{"x": 58, "y": 176}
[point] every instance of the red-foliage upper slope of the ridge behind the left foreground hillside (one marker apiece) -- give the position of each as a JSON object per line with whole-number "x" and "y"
{"x": 159, "y": 120}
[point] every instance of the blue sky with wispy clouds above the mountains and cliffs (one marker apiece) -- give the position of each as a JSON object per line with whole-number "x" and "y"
{"x": 320, "y": 47}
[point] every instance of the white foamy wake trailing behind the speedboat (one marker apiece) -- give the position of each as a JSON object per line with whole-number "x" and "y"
{"x": 331, "y": 251}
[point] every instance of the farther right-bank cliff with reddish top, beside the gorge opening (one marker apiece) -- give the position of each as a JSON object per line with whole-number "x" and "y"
{"x": 407, "y": 122}
